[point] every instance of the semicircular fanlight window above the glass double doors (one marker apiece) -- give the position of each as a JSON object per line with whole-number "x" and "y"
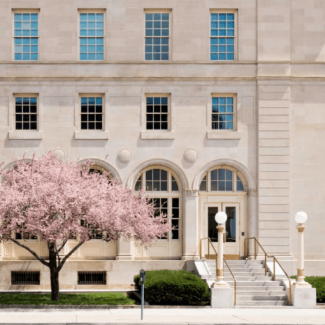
{"x": 223, "y": 179}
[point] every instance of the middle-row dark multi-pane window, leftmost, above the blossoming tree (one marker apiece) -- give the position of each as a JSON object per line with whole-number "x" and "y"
{"x": 26, "y": 113}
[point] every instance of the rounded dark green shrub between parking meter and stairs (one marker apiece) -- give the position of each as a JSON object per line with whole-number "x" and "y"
{"x": 166, "y": 287}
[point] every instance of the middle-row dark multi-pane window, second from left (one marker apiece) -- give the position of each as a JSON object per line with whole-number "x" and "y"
{"x": 91, "y": 113}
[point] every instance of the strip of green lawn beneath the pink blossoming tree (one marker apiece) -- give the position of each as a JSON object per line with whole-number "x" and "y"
{"x": 103, "y": 298}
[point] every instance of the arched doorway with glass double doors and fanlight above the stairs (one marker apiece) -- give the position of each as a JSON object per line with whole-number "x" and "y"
{"x": 223, "y": 188}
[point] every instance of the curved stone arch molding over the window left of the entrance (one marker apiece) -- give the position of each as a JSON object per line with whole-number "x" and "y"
{"x": 158, "y": 162}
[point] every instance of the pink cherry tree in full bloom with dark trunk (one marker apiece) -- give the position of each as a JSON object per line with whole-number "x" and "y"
{"x": 57, "y": 200}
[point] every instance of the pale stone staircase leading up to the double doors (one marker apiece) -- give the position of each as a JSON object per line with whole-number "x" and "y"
{"x": 253, "y": 287}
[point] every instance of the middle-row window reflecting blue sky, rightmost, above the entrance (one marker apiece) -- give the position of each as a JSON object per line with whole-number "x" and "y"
{"x": 222, "y": 113}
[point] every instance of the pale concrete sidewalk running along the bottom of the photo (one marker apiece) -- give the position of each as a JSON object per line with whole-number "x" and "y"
{"x": 164, "y": 316}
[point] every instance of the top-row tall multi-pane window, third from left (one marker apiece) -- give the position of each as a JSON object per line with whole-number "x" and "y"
{"x": 157, "y": 36}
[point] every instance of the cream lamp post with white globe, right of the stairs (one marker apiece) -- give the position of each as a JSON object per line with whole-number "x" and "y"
{"x": 301, "y": 217}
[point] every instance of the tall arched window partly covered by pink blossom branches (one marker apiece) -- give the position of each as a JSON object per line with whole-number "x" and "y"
{"x": 164, "y": 188}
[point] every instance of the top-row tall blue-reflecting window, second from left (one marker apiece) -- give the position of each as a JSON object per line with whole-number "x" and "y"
{"x": 91, "y": 36}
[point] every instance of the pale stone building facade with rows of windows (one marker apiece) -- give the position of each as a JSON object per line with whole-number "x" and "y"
{"x": 211, "y": 105}
